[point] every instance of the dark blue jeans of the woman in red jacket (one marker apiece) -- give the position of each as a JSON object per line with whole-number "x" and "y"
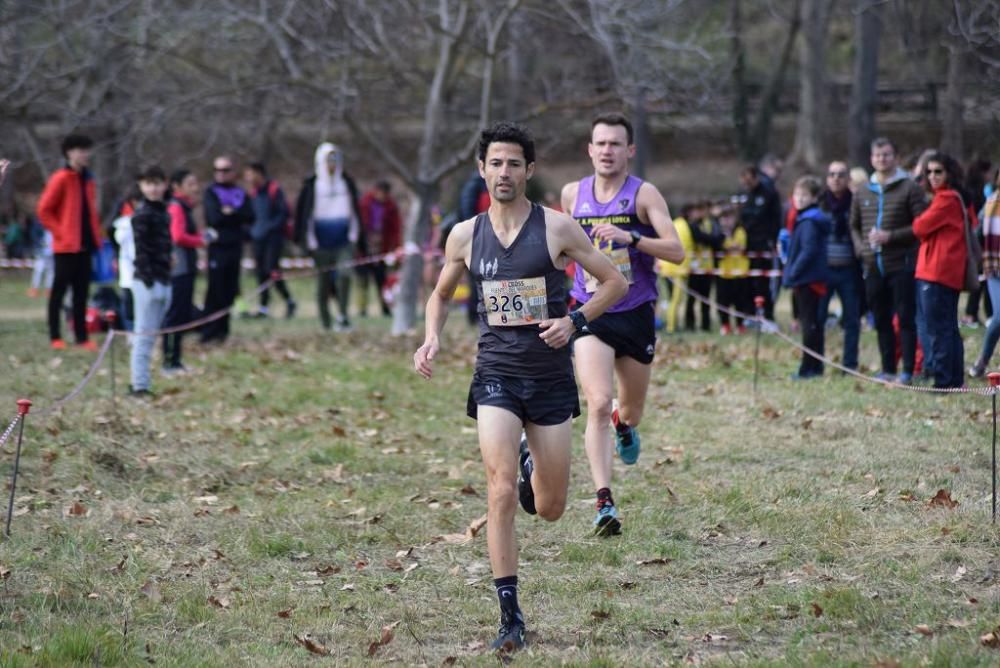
{"x": 940, "y": 309}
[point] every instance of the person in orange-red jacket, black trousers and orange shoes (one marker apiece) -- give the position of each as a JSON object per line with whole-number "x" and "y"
{"x": 68, "y": 209}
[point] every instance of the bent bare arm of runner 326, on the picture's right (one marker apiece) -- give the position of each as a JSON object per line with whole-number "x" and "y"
{"x": 575, "y": 244}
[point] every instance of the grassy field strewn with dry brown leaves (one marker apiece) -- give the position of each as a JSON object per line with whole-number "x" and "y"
{"x": 305, "y": 494}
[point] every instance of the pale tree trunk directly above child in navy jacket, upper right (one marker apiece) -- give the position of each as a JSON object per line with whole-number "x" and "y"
{"x": 809, "y": 145}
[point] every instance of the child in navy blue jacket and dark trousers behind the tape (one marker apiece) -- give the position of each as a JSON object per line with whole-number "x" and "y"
{"x": 806, "y": 271}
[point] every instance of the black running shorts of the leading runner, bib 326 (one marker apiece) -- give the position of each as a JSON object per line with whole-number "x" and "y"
{"x": 543, "y": 402}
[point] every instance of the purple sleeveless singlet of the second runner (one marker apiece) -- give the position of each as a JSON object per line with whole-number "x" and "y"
{"x": 620, "y": 211}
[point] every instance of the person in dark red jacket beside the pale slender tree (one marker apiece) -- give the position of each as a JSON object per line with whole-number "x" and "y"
{"x": 383, "y": 231}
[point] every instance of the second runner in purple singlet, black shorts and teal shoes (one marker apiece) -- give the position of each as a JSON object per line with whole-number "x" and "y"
{"x": 628, "y": 219}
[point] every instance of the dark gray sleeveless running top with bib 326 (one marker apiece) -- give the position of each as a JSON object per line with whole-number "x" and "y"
{"x": 517, "y": 286}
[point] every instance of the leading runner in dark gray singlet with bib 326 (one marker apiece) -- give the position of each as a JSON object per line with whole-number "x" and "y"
{"x": 517, "y": 252}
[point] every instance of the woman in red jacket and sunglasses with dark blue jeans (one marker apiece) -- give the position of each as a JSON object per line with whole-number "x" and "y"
{"x": 940, "y": 270}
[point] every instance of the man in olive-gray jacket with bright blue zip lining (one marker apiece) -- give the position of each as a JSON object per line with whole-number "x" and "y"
{"x": 881, "y": 225}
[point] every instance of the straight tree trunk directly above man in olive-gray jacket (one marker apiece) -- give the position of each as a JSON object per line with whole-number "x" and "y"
{"x": 861, "y": 110}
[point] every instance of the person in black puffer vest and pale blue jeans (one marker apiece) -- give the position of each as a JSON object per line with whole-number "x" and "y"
{"x": 151, "y": 280}
